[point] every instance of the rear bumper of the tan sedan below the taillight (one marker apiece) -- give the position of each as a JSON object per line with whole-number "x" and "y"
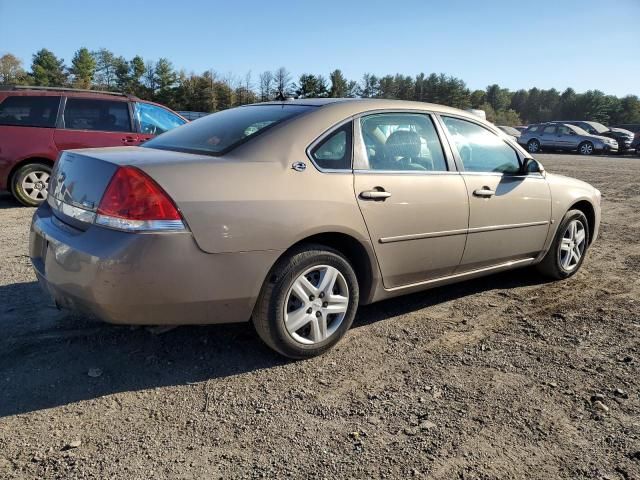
{"x": 132, "y": 278}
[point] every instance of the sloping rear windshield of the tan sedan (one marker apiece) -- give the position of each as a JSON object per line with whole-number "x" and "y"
{"x": 221, "y": 132}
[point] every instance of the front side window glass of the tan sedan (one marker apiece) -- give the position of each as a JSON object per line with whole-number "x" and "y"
{"x": 480, "y": 149}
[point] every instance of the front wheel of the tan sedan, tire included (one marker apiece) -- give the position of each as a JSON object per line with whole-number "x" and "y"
{"x": 567, "y": 252}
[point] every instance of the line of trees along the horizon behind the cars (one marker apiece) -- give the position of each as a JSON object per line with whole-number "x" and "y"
{"x": 209, "y": 92}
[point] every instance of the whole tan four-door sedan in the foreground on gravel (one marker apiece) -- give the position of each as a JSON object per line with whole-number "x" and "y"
{"x": 251, "y": 213}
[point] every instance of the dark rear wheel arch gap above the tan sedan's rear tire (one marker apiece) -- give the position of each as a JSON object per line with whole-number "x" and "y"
{"x": 362, "y": 261}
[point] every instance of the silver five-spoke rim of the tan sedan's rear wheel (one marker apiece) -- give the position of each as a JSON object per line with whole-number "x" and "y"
{"x": 316, "y": 304}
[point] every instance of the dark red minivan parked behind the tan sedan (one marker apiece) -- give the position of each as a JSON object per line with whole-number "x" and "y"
{"x": 37, "y": 123}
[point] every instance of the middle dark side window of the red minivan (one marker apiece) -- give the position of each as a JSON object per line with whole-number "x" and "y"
{"x": 102, "y": 115}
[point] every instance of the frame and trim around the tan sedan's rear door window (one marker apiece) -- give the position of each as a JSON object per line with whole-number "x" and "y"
{"x": 361, "y": 159}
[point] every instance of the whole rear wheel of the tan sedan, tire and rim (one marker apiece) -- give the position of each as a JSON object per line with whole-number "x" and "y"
{"x": 308, "y": 302}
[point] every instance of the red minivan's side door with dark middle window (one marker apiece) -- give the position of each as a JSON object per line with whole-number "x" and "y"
{"x": 93, "y": 122}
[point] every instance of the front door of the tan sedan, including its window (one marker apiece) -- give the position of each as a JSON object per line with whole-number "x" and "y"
{"x": 509, "y": 212}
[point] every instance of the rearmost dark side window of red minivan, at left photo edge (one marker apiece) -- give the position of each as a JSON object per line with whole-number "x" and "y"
{"x": 29, "y": 111}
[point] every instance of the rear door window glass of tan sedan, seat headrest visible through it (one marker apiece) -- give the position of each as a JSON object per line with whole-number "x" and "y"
{"x": 395, "y": 141}
